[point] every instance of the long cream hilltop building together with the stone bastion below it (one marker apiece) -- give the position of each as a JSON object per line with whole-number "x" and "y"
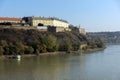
{"x": 53, "y": 24}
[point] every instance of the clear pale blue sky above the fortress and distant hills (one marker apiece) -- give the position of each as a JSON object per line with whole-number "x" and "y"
{"x": 93, "y": 15}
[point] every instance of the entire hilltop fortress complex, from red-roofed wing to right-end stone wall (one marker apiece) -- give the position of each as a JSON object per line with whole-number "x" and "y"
{"x": 48, "y": 23}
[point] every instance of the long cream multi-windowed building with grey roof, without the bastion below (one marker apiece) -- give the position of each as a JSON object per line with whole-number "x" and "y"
{"x": 49, "y": 22}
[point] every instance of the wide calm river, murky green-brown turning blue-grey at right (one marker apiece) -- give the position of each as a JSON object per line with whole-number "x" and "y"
{"x": 101, "y": 65}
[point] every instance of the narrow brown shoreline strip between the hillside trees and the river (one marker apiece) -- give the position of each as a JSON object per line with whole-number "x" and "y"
{"x": 54, "y": 53}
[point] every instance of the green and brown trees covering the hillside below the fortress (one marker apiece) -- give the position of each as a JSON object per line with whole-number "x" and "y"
{"x": 16, "y": 41}
